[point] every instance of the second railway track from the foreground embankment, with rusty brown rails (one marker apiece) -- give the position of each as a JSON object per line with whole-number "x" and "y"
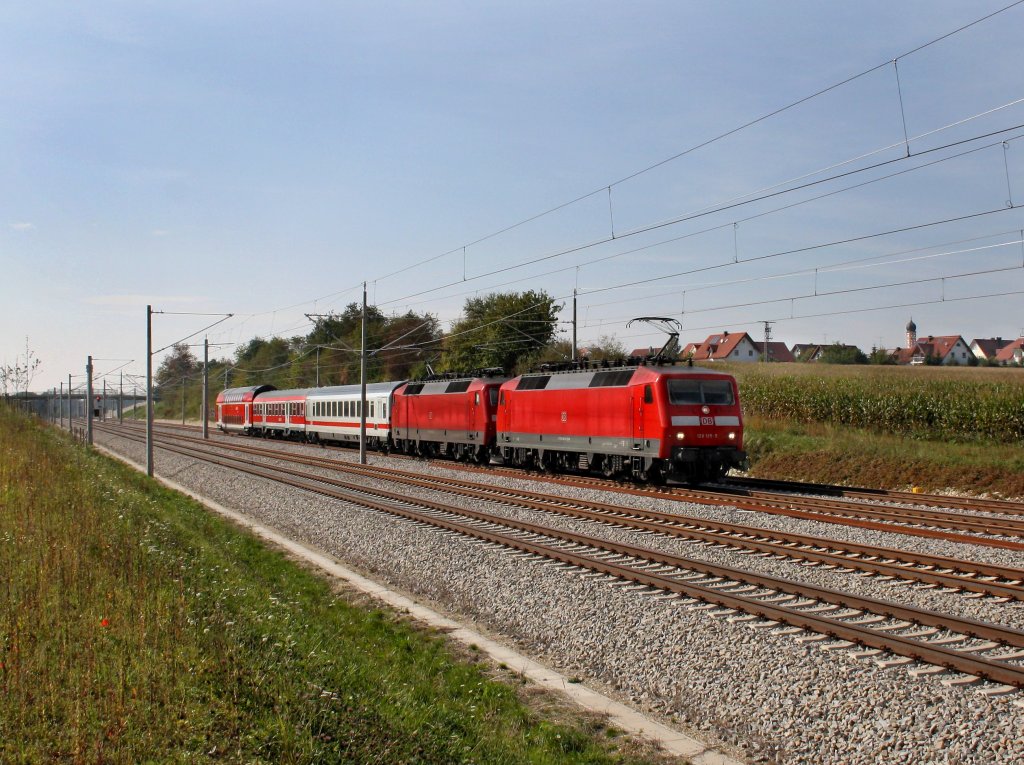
{"x": 952, "y": 574}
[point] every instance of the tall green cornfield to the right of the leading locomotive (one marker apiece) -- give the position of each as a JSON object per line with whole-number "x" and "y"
{"x": 950, "y": 408}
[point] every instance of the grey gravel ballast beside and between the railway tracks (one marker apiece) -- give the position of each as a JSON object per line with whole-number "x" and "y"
{"x": 775, "y": 698}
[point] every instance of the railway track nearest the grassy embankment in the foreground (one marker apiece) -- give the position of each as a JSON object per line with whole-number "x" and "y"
{"x": 868, "y": 626}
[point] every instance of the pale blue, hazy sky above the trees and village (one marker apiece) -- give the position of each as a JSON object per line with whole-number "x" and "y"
{"x": 719, "y": 163}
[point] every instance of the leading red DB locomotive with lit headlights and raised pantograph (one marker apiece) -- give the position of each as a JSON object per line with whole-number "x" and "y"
{"x": 650, "y": 423}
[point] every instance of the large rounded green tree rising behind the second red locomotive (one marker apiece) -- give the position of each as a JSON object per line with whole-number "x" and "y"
{"x": 507, "y": 330}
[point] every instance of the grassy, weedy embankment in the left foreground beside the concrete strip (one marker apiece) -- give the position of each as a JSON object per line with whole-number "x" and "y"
{"x": 138, "y": 627}
